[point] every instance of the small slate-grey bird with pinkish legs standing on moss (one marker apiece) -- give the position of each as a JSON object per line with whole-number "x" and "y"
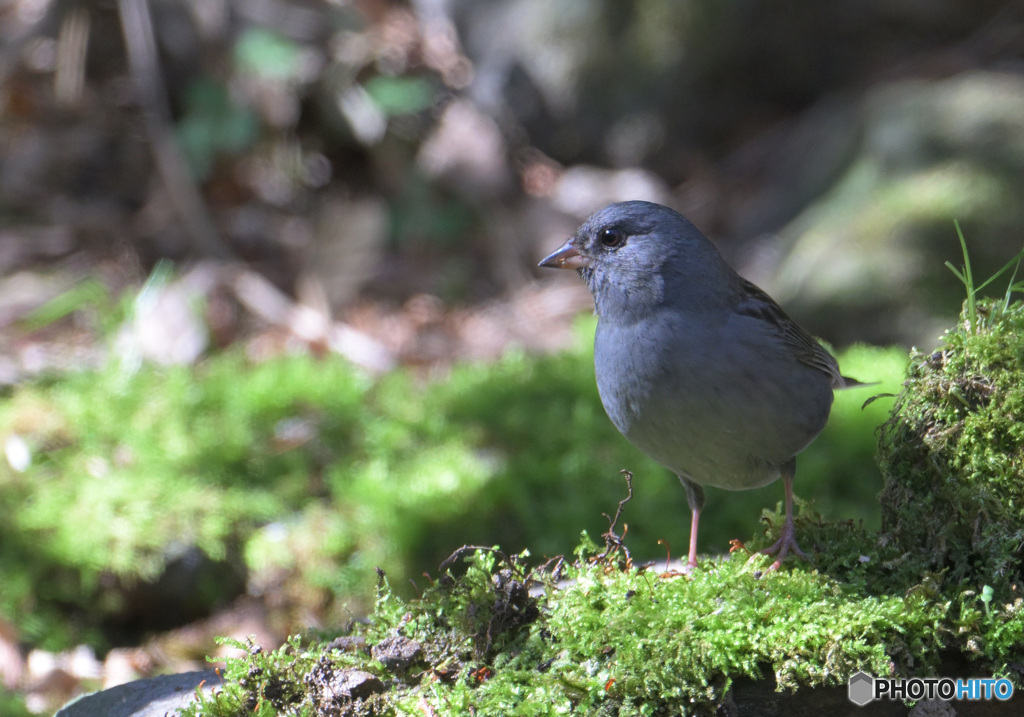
{"x": 697, "y": 366}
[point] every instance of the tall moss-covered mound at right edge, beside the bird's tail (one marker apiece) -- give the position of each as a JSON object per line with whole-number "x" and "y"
{"x": 953, "y": 456}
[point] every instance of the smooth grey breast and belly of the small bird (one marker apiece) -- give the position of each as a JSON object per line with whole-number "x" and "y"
{"x": 706, "y": 406}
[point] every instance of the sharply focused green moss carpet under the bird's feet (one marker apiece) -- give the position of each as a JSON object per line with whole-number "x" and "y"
{"x": 613, "y": 640}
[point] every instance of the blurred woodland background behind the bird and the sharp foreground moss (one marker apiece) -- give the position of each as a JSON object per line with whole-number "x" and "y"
{"x": 270, "y": 311}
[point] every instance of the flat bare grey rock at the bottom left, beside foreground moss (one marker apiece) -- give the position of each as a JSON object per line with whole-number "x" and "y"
{"x": 156, "y": 697}
